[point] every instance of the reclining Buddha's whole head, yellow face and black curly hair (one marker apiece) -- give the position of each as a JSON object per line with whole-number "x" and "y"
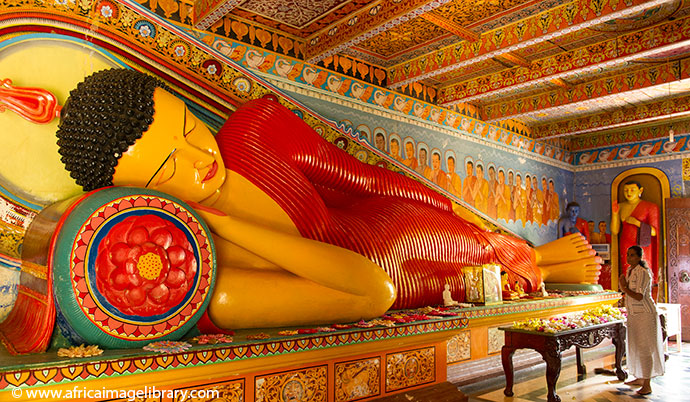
{"x": 121, "y": 127}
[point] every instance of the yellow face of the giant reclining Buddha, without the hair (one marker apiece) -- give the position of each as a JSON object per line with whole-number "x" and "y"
{"x": 178, "y": 155}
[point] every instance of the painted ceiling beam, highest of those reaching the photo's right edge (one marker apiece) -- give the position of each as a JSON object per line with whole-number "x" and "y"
{"x": 614, "y": 52}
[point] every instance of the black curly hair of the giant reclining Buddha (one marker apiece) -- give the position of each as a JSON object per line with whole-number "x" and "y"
{"x": 101, "y": 119}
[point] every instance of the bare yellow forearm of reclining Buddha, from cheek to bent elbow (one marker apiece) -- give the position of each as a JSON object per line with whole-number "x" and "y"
{"x": 327, "y": 265}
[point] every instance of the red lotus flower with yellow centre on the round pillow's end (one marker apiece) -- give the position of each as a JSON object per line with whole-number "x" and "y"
{"x": 145, "y": 266}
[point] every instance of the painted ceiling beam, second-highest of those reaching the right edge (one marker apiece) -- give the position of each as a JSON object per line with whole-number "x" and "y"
{"x": 570, "y": 96}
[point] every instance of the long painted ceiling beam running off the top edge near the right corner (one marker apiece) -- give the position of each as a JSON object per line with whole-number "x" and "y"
{"x": 548, "y": 25}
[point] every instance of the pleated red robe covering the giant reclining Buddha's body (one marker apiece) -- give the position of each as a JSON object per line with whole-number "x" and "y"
{"x": 398, "y": 223}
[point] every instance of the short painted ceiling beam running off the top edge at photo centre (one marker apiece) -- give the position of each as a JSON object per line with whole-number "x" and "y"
{"x": 379, "y": 17}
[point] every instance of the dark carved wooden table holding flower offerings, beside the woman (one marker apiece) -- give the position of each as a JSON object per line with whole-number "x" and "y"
{"x": 550, "y": 346}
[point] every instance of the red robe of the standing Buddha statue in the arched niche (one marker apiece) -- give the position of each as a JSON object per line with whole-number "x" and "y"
{"x": 646, "y": 212}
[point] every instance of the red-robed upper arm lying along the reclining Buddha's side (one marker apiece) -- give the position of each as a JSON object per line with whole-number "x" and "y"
{"x": 297, "y": 145}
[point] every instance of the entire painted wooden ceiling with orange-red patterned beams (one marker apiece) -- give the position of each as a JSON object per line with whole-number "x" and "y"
{"x": 560, "y": 68}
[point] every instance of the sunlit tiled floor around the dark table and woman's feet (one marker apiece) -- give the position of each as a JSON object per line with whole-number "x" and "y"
{"x": 674, "y": 386}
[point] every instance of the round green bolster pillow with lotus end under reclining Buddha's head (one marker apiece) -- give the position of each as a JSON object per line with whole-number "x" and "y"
{"x": 131, "y": 266}
